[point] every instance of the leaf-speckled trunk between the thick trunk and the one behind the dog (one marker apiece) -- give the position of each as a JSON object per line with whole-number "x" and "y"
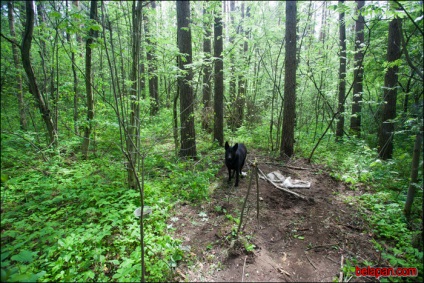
{"x": 206, "y": 117}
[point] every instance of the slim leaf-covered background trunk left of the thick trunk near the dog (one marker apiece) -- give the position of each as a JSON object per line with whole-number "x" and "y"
{"x": 151, "y": 60}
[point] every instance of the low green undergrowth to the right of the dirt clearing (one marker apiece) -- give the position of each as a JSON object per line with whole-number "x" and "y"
{"x": 384, "y": 185}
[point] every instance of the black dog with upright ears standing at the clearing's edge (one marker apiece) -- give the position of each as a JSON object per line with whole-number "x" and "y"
{"x": 234, "y": 159}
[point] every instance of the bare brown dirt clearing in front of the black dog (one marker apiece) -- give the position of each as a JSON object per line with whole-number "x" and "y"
{"x": 296, "y": 240}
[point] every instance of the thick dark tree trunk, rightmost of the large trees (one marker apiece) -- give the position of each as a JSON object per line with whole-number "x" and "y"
{"x": 385, "y": 143}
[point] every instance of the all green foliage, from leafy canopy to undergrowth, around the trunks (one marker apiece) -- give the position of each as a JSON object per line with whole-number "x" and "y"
{"x": 64, "y": 219}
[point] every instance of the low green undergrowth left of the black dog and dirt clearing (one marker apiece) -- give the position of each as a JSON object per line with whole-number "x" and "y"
{"x": 66, "y": 219}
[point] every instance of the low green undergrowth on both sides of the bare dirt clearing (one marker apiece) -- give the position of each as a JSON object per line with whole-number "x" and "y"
{"x": 68, "y": 219}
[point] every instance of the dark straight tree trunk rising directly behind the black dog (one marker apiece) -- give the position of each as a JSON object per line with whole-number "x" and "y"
{"x": 218, "y": 129}
